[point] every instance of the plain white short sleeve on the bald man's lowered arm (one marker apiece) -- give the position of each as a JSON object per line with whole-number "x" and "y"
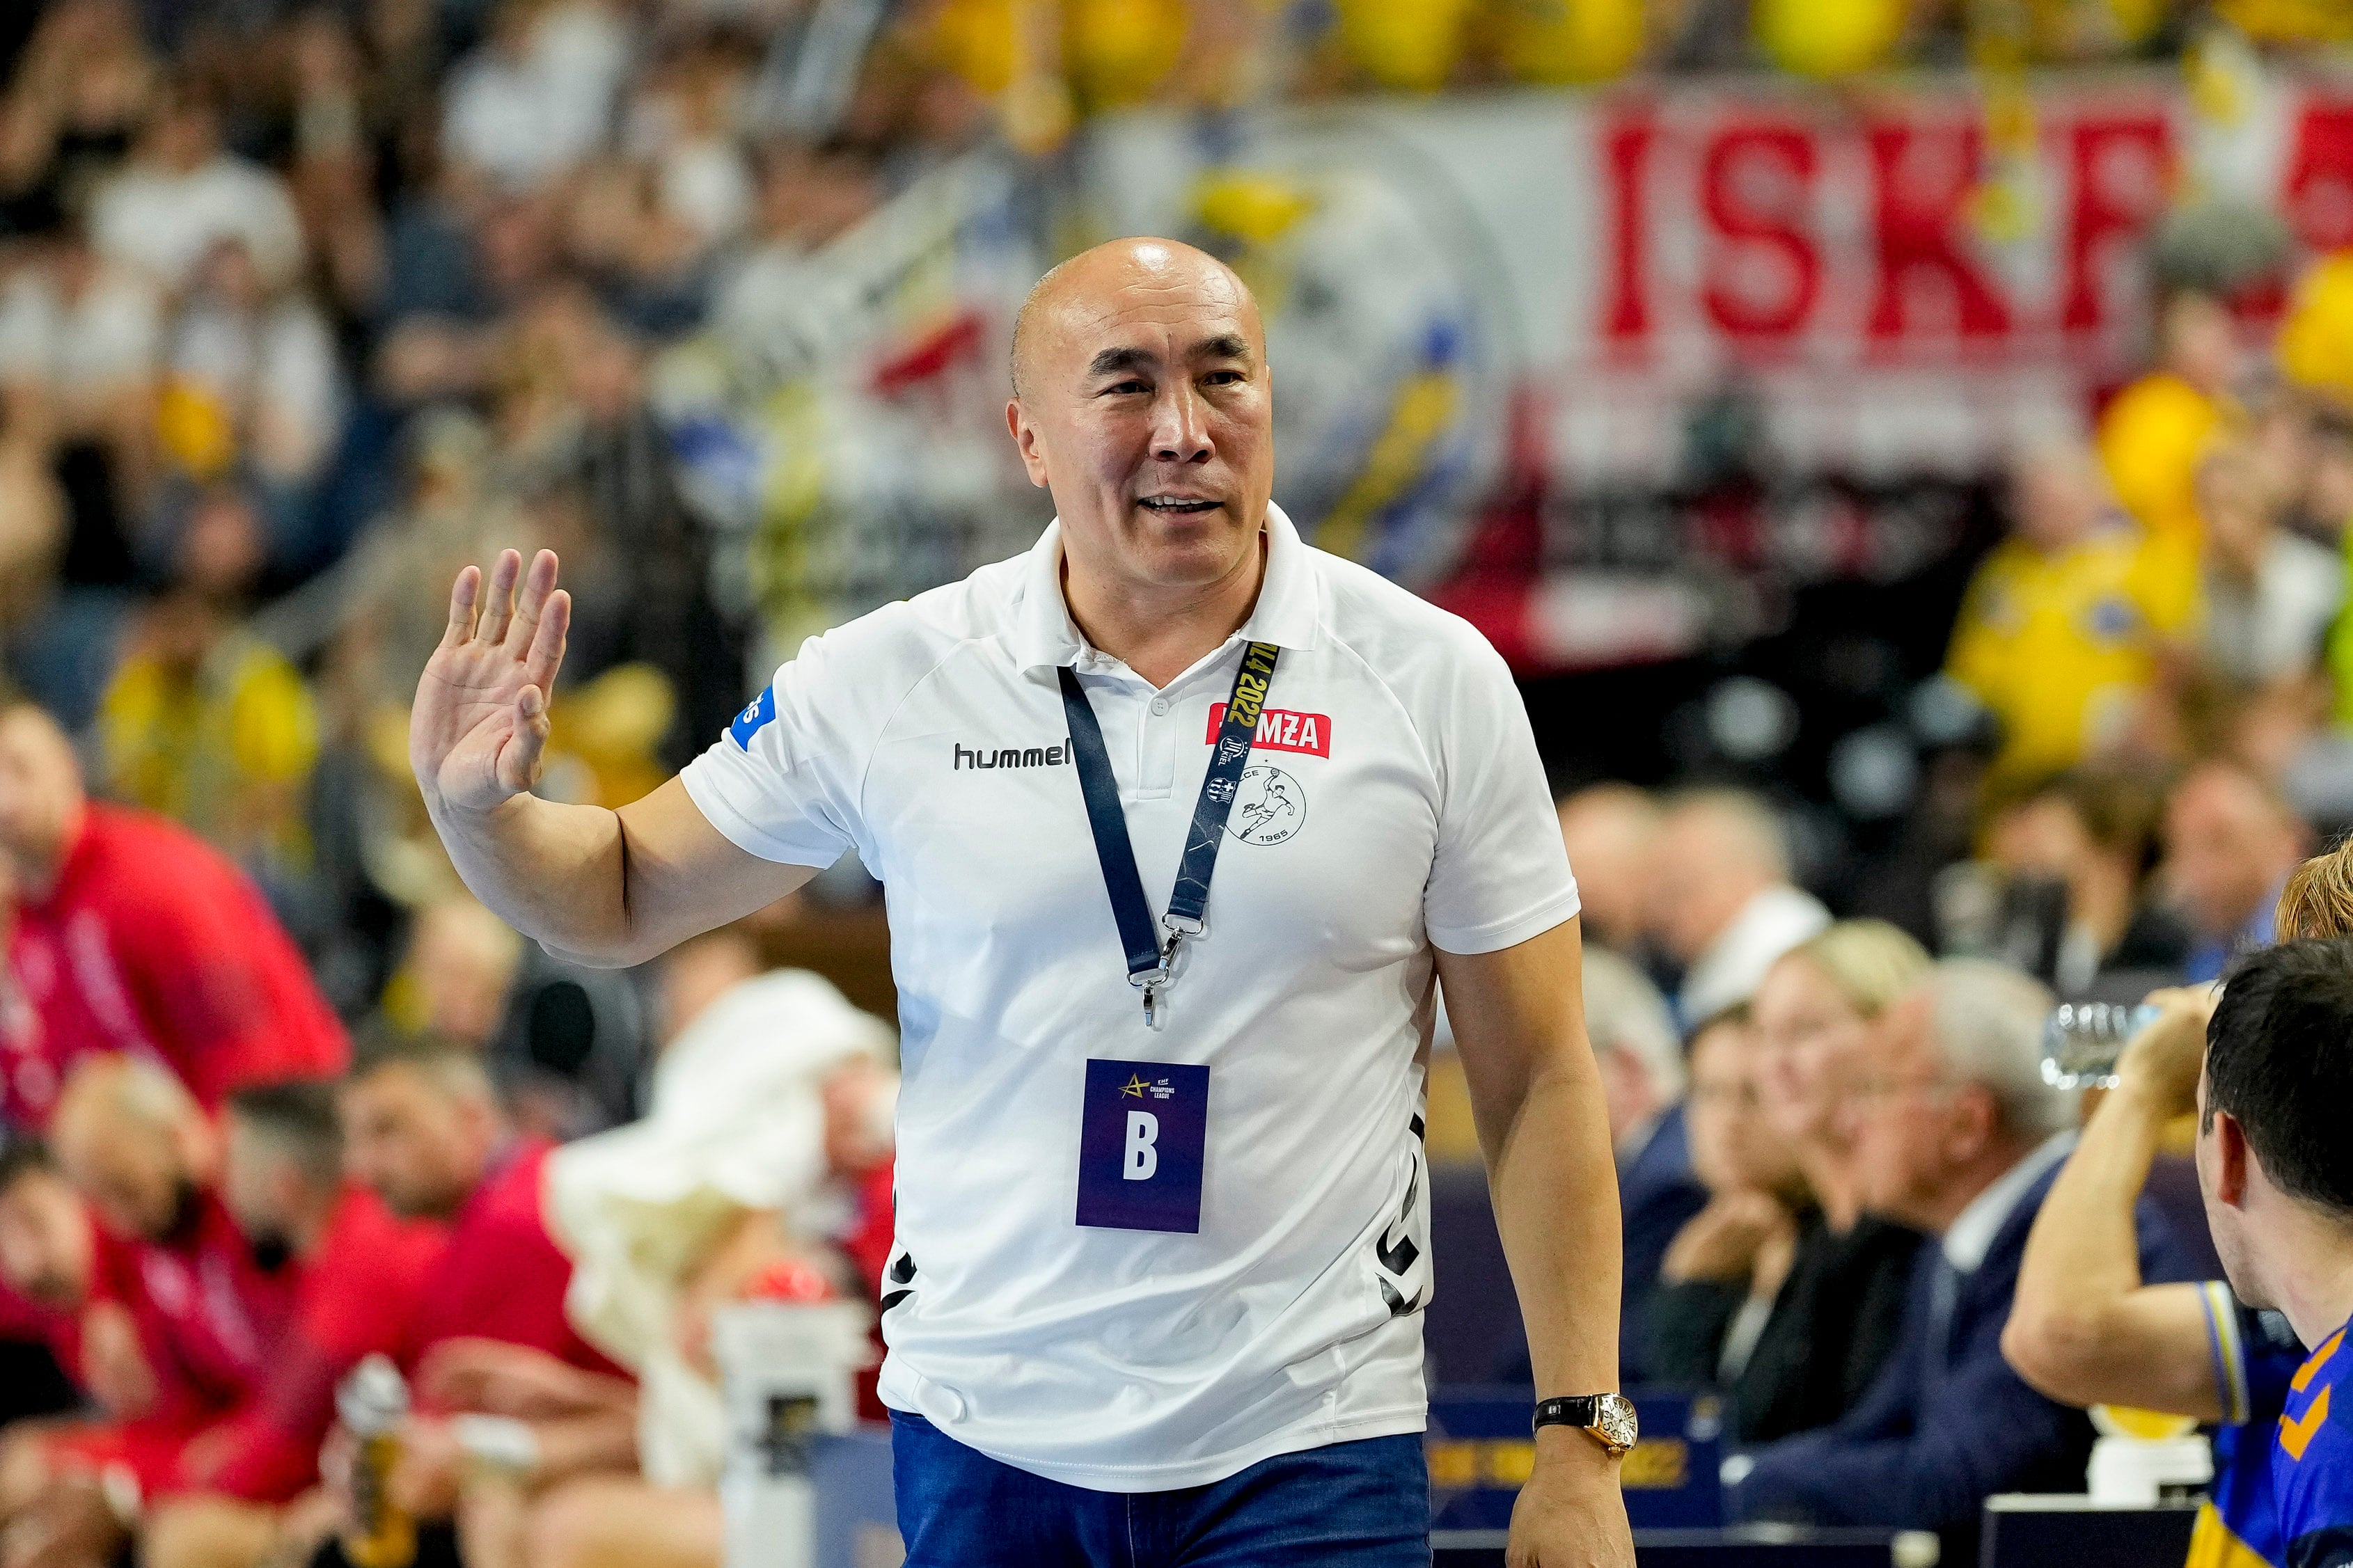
{"x": 1500, "y": 873}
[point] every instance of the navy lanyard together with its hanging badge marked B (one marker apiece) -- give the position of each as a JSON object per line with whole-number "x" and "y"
{"x": 1145, "y": 1125}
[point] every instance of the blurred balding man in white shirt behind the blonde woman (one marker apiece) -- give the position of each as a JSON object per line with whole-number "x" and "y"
{"x": 1721, "y": 899}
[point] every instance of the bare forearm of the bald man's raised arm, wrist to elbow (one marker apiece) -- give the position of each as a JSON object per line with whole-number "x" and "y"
{"x": 549, "y": 871}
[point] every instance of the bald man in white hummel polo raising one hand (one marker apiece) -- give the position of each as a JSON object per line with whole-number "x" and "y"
{"x": 1161, "y": 1205}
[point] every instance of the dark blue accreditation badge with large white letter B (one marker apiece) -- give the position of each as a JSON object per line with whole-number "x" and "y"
{"x": 1140, "y": 1146}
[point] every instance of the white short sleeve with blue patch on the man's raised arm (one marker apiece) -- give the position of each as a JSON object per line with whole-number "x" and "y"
{"x": 782, "y": 782}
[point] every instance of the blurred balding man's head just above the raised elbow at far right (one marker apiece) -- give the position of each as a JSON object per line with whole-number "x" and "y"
{"x": 2229, "y": 847}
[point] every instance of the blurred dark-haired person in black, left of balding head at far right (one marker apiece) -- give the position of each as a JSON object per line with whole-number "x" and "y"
{"x": 2095, "y": 831}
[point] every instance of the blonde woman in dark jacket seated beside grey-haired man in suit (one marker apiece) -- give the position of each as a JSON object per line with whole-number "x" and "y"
{"x": 1839, "y": 1287}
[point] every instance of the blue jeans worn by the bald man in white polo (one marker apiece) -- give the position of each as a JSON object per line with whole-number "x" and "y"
{"x": 1347, "y": 1506}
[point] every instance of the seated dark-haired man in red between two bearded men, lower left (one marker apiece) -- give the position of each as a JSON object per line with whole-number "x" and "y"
{"x": 361, "y": 1294}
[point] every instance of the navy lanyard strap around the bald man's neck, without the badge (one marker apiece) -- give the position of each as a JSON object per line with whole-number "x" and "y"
{"x": 1152, "y": 960}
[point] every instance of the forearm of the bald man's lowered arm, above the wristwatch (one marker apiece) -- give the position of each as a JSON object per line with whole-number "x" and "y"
{"x": 1557, "y": 1209}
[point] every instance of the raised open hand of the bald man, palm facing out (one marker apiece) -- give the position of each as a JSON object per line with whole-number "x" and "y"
{"x": 481, "y": 721}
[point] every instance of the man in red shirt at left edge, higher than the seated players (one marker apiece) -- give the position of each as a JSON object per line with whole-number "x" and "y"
{"x": 138, "y": 937}
